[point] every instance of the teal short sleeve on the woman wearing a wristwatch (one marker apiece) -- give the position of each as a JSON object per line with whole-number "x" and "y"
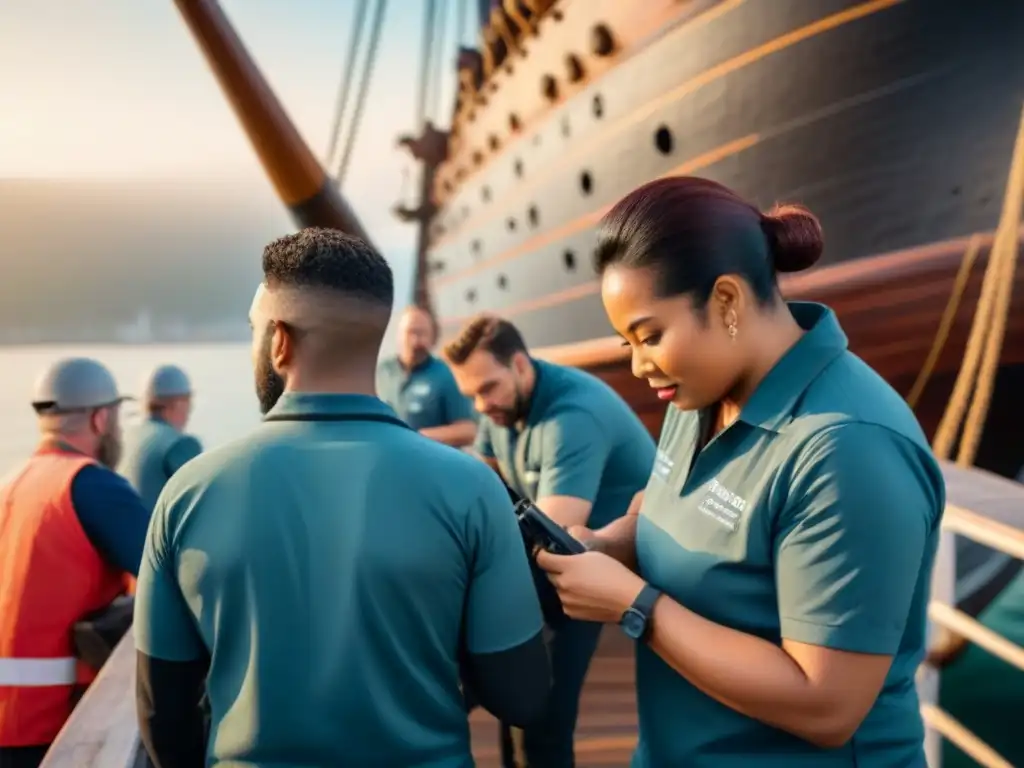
{"x": 858, "y": 534}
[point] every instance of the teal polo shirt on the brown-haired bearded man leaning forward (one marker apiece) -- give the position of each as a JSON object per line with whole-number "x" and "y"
{"x": 580, "y": 439}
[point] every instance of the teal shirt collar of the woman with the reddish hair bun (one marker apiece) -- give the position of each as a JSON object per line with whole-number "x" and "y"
{"x": 774, "y": 402}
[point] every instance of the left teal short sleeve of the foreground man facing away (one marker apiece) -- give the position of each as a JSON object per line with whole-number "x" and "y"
{"x": 164, "y": 626}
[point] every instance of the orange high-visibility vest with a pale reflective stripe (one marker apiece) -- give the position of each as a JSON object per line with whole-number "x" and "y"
{"x": 51, "y": 578}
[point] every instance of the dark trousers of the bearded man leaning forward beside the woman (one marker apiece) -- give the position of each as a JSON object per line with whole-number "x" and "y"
{"x": 548, "y": 744}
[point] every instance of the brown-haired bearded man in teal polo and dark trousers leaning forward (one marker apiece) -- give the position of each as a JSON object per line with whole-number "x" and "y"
{"x": 568, "y": 442}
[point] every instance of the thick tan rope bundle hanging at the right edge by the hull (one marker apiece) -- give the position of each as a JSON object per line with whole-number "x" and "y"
{"x": 982, "y": 359}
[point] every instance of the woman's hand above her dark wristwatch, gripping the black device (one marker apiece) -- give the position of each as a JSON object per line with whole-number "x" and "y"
{"x": 593, "y": 587}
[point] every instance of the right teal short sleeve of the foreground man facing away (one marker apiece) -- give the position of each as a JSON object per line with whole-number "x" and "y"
{"x": 502, "y": 610}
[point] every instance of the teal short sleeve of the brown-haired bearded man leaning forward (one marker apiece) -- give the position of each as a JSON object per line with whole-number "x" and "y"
{"x": 575, "y": 452}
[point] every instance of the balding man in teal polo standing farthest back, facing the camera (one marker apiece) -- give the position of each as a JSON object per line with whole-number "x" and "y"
{"x": 420, "y": 388}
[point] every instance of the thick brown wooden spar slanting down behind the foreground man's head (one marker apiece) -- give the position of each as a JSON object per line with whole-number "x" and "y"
{"x": 298, "y": 179}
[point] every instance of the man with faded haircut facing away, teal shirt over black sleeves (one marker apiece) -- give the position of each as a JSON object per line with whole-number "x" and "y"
{"x": 329, "y": 575}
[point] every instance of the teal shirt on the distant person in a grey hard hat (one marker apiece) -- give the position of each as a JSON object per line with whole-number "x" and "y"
{"x": 153, "y": 452}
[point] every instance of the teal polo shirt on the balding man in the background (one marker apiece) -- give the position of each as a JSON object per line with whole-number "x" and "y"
{"x": 425, "y": 397}
